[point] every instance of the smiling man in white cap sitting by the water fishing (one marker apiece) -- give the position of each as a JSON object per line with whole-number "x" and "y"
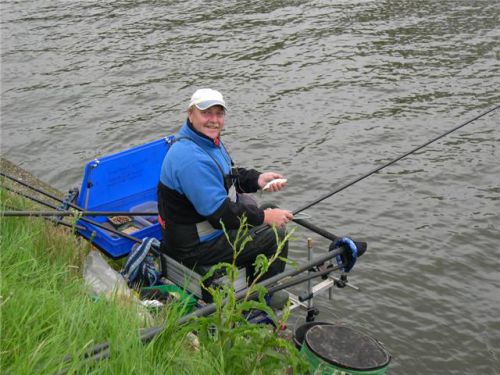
{"x": 200, "y": 189}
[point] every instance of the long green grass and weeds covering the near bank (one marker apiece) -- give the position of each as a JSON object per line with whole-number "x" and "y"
{"x": 47, "y": 314}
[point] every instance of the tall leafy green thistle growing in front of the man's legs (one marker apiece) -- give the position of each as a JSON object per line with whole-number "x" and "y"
{"x": 227, "y": 338}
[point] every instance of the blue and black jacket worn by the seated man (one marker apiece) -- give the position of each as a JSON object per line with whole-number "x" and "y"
{"x": 199, "y": 189}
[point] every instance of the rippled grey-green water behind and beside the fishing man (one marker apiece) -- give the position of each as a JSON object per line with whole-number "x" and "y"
{"x": 322, "y": 91}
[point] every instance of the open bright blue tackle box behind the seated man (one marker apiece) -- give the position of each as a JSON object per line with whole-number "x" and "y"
{"x": 123, "y": 182}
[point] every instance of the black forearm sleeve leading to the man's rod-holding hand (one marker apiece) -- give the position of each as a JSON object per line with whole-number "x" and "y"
{"x": 230, "y": 213}
